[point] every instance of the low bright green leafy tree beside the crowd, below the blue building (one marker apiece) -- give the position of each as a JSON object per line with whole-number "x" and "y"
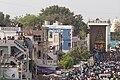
{"x": 74, "y": 57}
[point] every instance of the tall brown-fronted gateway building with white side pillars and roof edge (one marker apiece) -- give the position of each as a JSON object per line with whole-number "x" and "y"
{"x": 99, "y": 37}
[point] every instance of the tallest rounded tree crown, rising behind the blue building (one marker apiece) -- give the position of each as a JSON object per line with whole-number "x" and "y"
{"x": 56, "y": 13}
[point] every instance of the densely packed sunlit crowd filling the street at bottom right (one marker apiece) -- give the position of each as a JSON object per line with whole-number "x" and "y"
{"x": 99, "y": 71}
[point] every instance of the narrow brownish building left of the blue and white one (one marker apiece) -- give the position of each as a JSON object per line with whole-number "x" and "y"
{"x": 40, "y": 41}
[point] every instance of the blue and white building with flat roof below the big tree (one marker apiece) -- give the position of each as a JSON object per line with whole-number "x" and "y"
{"x": 60, "y": 36}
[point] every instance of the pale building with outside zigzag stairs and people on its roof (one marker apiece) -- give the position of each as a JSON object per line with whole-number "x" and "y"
{"x": 15, "y": 54}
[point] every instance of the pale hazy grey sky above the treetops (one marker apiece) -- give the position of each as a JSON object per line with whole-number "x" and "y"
{"x": 89, "y": 9}
